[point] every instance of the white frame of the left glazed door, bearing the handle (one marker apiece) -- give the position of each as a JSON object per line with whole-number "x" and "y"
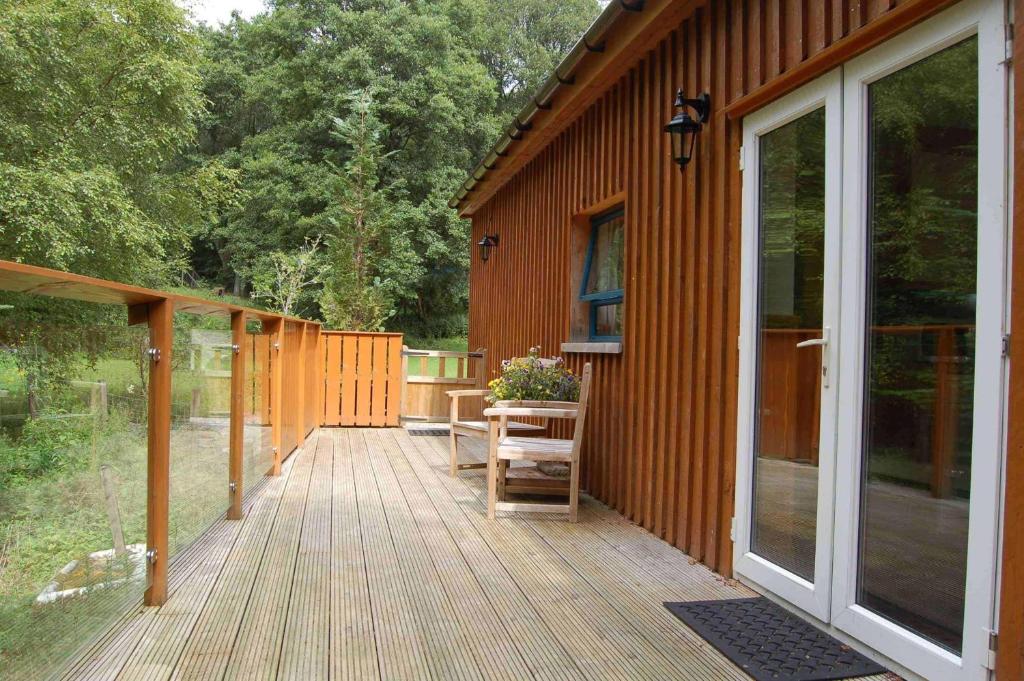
{"x": 814, "y": 599}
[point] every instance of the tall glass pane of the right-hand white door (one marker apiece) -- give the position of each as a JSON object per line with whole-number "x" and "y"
{"x": 921, "y": 344}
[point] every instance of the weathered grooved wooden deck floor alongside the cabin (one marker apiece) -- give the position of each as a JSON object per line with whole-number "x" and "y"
{"x": 366, "y": 561}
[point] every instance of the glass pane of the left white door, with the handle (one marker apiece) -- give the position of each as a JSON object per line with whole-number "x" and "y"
{"x": 791, "y": 297}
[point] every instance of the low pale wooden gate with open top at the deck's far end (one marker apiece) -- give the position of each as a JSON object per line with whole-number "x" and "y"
{"x": 429, "y": 375}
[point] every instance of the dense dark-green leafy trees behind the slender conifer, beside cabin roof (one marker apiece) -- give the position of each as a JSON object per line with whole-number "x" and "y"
{"x": 276, "y": 84}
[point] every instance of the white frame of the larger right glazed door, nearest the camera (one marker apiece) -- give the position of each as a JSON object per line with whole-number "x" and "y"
{"x": 987, "y": 19}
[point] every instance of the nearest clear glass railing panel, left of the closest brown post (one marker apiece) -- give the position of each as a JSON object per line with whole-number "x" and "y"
{"x": 73, "y": 479}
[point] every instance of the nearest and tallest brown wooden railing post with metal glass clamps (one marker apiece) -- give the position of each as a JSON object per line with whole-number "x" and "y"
{"x": 161, "y": 316}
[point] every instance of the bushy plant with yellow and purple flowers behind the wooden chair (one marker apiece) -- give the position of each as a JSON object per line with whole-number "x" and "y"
{"x": 531, "y": 378}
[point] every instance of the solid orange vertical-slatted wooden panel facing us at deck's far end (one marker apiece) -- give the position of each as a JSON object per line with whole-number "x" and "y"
{"x": 363, "y": 379}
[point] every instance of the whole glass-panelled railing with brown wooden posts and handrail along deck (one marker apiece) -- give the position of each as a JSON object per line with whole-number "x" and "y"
{"x": 125, "y": 435}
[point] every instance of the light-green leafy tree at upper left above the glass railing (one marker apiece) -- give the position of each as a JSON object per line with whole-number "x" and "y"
{"x": 97, "y": 100}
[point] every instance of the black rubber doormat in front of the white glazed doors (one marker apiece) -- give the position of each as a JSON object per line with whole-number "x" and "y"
{"x": 772, "y": 645}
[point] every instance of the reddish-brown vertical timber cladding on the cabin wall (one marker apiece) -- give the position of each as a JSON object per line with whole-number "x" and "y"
{"x": 661, "y": 444}
